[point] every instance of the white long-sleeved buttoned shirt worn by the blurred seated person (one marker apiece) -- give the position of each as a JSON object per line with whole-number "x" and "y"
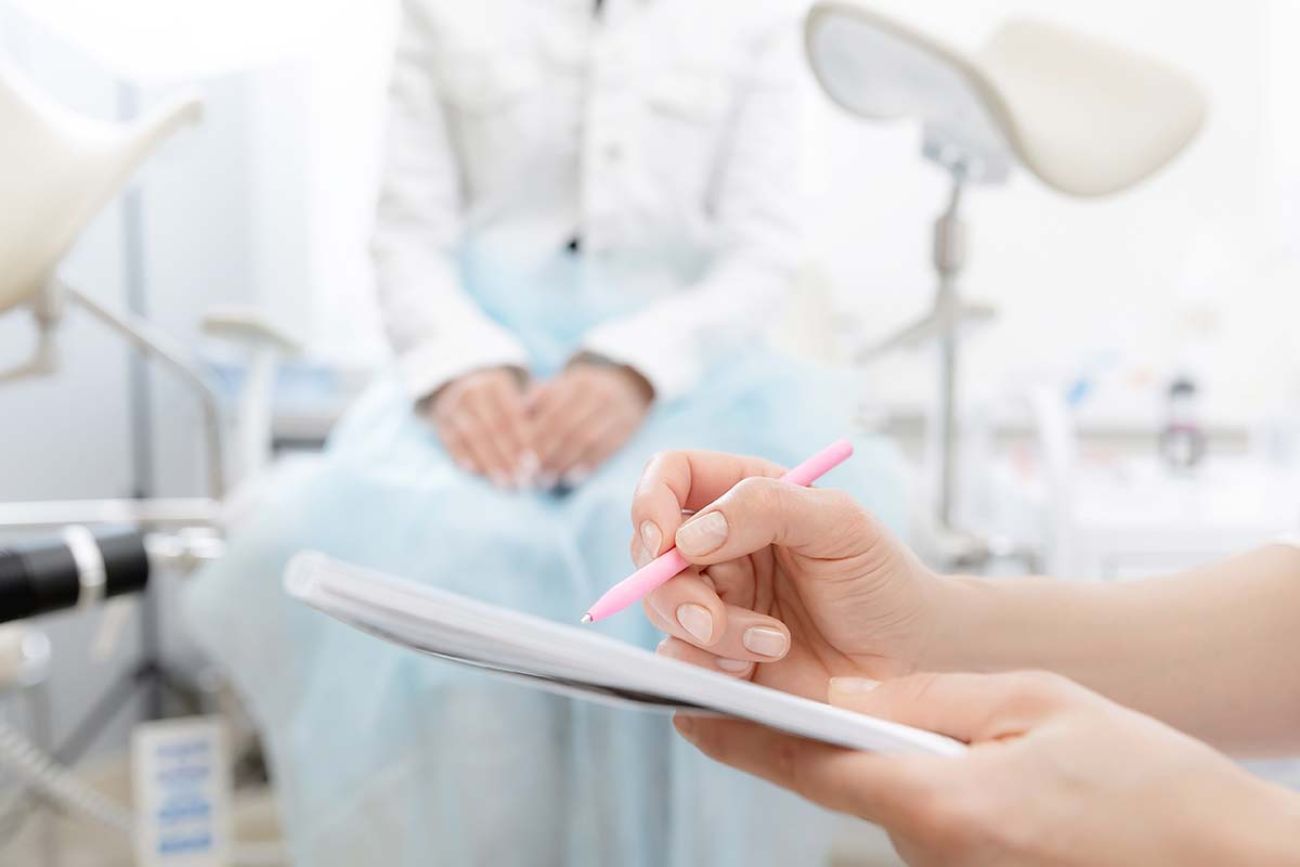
{"x": 665, "y": 136}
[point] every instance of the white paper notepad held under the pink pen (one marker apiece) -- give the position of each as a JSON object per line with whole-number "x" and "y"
{"x": 574, "y": 661}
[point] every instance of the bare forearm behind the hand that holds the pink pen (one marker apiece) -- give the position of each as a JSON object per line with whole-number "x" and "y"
{"x": 1215, "y": 652}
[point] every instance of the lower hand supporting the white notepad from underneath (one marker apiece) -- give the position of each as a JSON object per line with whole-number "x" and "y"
{"x": 1056, "y": 775}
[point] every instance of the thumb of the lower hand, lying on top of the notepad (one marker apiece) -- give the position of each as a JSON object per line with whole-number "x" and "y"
{"x": 968, "y": 708}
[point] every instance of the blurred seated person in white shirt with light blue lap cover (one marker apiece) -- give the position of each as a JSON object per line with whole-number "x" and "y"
{"x": 588, "y": 218}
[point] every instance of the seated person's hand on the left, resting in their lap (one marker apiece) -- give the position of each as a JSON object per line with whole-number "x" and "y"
{"x": 480, "y": 419}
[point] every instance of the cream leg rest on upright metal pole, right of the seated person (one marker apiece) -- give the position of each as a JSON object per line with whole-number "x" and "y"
{"x": 1085, "y": 118}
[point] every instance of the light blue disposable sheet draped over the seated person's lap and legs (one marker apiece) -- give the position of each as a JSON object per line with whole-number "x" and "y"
{"x": 385, "y": 757}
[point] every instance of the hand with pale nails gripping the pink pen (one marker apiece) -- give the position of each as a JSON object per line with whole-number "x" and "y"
{"x": 799, "y": 579}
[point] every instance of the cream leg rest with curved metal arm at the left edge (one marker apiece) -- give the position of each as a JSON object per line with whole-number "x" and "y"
{"x": 58, "y": 171}
